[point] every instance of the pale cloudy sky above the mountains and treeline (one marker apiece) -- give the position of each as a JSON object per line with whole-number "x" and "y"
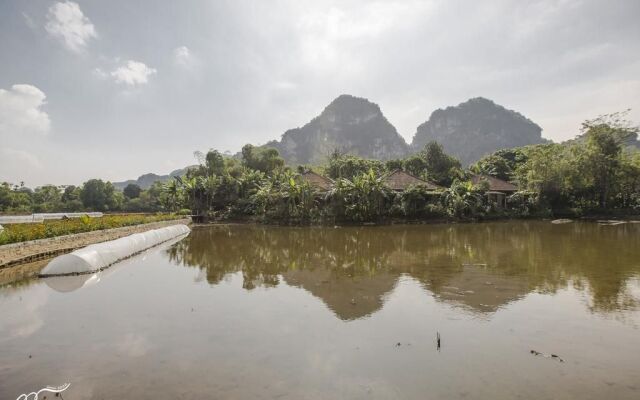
{"x": 114, "y": 89}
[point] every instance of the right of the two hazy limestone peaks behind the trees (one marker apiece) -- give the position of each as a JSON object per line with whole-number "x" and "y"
{"x": 475, "y": 128}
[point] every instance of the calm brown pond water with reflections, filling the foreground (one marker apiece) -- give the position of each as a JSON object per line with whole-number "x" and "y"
{"x": 240, "y": 312}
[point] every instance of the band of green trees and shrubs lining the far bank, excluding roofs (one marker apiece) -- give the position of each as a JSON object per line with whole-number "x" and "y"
{"x": 595, "y": 174}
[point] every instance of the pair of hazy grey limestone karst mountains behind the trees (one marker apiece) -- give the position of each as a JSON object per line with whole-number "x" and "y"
{"x": 356, "y": 126}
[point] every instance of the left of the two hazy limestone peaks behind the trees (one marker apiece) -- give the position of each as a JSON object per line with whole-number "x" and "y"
{"x": 351, "y": 124}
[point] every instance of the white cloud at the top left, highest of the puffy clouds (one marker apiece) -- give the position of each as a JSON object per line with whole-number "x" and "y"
{"x": 67, "y": 22}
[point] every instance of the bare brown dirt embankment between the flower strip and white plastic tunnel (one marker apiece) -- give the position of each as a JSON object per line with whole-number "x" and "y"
{"x": 28, "y": 252}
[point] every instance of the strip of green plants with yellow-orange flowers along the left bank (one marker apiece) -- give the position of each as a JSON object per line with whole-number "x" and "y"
{"x": 15, "y": 233}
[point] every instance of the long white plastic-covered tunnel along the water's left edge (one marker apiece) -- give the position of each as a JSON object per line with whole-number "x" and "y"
{"x": 101, "y": 255}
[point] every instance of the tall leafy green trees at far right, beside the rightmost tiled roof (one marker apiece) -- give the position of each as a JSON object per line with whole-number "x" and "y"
{"x": 594, "y": 174}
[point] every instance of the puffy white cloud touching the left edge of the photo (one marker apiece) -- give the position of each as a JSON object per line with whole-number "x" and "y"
{"x": 21, "y": 111}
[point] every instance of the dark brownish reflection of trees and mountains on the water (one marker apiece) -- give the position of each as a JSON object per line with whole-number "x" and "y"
{"x": 479, "y": 266}
